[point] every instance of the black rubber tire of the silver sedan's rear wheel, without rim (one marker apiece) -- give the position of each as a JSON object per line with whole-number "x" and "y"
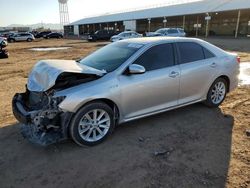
{"x": 209, "y": 102}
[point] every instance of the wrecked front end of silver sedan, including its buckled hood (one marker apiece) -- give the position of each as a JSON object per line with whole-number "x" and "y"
{"x": 42, "y": 121}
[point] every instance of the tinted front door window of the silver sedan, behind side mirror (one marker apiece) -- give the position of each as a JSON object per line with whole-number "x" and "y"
{"x": 157, "y": 57}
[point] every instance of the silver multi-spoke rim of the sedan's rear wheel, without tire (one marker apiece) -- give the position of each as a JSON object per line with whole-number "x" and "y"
{"x": 218, "y": 92}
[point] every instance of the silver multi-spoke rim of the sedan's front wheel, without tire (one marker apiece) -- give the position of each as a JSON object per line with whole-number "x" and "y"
{"x": 94, "y": 125}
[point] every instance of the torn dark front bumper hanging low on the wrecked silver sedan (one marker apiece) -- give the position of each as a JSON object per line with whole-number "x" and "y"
{"x": 31, "y": 131}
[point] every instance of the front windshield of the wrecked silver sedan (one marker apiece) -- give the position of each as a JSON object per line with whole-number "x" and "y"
{"x": 111, "y": 56}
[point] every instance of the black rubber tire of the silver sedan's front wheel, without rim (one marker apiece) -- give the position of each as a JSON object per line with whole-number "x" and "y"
{"x": 74, "y": 126}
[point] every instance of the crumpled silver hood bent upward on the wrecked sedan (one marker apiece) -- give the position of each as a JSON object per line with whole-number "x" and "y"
{"x": 45, "y": 73}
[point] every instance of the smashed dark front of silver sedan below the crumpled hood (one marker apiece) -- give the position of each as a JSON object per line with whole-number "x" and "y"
{"x": 42, "y": 122}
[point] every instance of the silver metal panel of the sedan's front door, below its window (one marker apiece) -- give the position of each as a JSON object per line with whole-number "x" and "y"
{"x": 149, "y": 92}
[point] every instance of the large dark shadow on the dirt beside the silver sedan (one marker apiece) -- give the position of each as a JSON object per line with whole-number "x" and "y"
{"x": 196, "y": 142}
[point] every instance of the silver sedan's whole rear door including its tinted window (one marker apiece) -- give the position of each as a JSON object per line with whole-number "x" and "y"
{"x": 198, "y": 68}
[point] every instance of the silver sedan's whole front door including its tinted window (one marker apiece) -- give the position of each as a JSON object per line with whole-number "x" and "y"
{"x": 157, "y": 88}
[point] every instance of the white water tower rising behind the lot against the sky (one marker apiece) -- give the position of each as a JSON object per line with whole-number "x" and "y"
{"x": 64, "y": 13}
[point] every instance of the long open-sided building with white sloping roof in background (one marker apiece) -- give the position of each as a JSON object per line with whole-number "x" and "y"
{"x": 207, "y": 17}
